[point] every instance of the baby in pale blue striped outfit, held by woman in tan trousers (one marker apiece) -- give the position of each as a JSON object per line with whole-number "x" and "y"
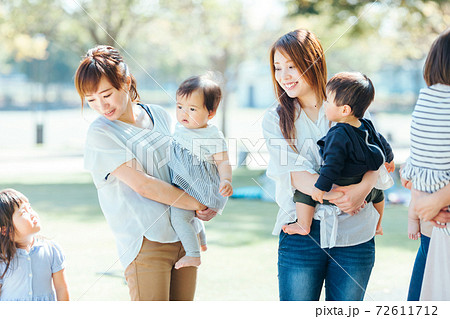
{"x": 198, "y": 160}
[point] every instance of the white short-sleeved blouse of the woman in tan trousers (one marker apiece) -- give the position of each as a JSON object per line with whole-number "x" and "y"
{"x": 109, "y": 144}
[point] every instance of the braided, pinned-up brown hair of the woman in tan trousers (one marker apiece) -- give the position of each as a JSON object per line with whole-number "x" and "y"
{"x": 103, "y": 61}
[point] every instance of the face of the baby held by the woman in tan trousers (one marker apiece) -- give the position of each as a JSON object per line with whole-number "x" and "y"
{"x": 191, "y": 111}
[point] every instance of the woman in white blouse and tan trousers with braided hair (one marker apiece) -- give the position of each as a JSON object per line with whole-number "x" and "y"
{"x": 127, "y": 149}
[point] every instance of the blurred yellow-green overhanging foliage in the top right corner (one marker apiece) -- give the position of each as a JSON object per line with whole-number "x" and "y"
{"x": 405, "y": 24}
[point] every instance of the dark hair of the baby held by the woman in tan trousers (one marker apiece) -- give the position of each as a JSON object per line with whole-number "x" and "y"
{"x": 210, "y": 89}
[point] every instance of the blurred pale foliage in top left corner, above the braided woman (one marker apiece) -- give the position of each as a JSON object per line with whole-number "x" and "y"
{"x": 30, "y": 25}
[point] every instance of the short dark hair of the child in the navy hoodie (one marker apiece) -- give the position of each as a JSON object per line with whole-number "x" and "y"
{"x": 354, "y": 89}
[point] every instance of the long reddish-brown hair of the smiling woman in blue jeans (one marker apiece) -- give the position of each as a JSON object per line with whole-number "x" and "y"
{"x": 305, "y": 51}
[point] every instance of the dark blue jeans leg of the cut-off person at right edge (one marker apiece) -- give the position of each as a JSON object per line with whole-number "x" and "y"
{"x": 415, "y": 285}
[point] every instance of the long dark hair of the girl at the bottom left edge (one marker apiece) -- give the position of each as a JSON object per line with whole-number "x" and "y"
{"x": 10, "y": 200}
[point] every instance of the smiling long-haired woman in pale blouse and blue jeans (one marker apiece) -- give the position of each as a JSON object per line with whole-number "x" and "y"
{"x": 292, "y": 130}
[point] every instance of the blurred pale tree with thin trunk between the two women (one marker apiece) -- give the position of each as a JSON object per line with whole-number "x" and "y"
{"x": 216, "y": 35}
